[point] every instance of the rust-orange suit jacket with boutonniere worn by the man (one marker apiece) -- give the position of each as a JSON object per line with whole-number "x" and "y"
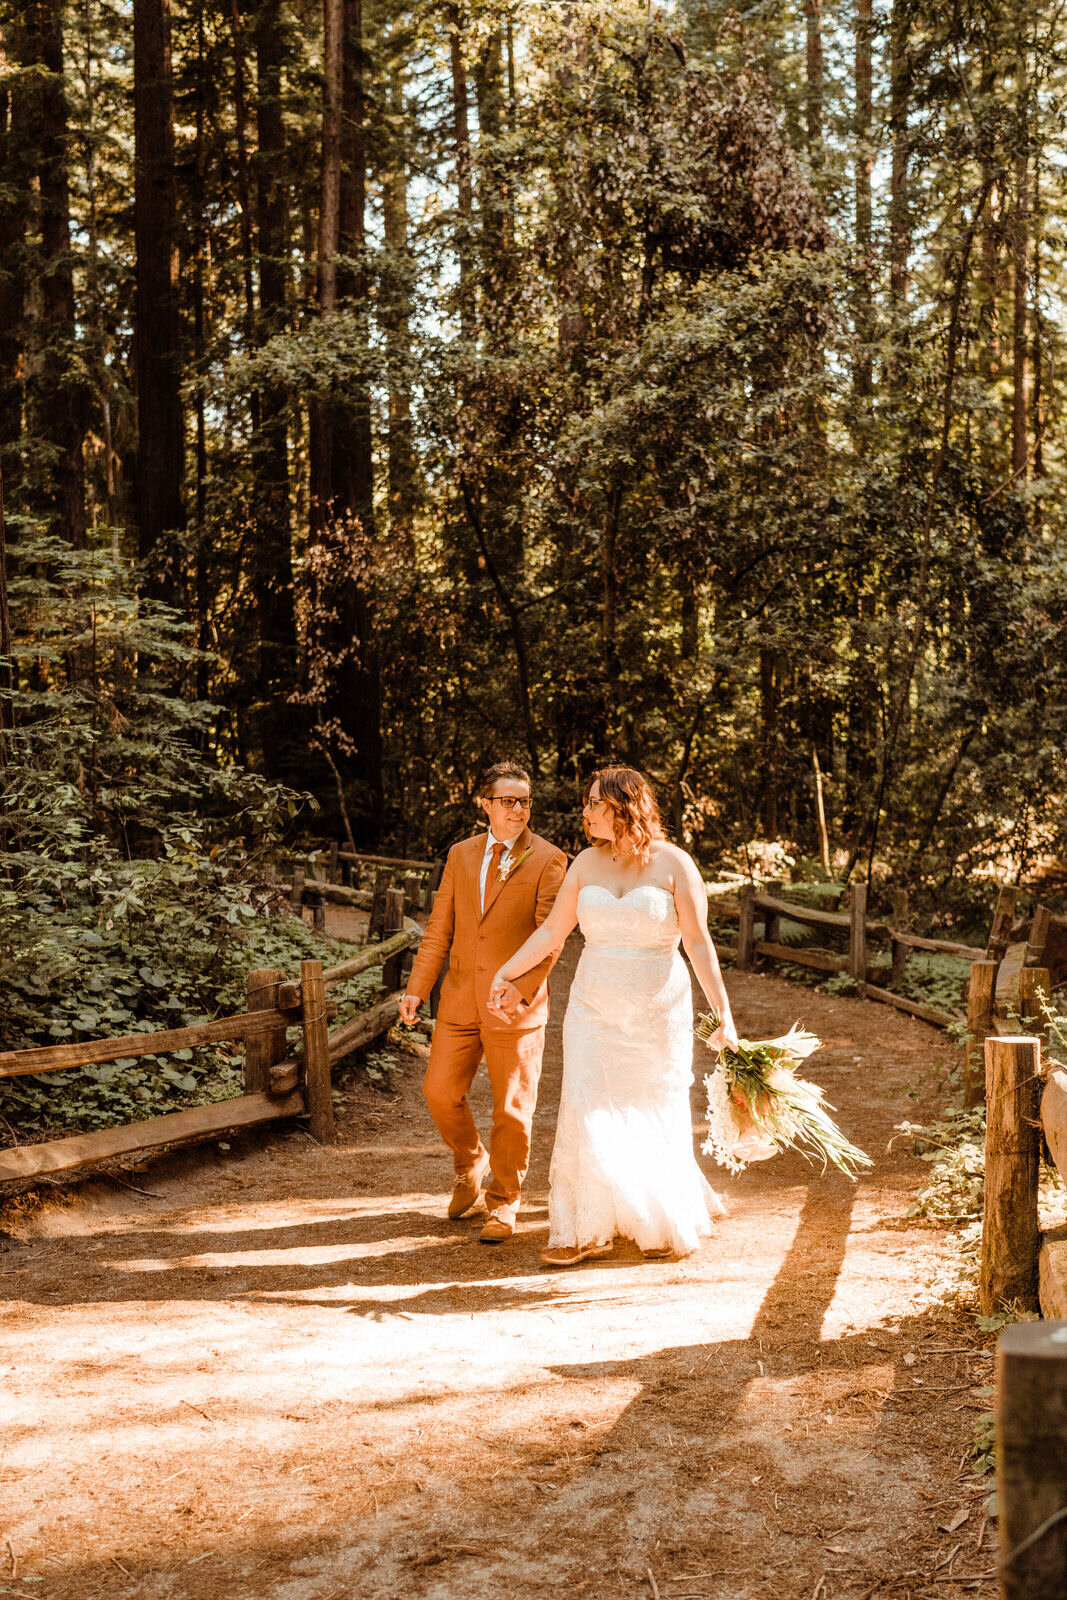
{"x": 479, "y": 943}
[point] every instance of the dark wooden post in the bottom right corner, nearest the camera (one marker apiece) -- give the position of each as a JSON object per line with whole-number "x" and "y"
{"x": 1031, "y": 1410}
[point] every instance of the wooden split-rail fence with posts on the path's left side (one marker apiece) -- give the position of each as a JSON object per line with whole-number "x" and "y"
{"x": 279, "y": 1081}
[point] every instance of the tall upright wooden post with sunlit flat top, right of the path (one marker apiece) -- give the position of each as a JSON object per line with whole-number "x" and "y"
{"x": 1010, "y": 1233}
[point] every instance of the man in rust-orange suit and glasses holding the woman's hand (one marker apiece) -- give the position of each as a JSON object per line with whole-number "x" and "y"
{"x": 495, "y": 892}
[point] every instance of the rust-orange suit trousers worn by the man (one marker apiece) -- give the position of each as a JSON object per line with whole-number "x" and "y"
{"x": 514, "y": 1062}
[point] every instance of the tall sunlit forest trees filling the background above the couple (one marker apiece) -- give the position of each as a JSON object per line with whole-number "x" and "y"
{"x": 391, "y": 388}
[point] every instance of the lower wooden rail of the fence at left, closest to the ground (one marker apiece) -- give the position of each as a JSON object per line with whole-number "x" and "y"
{"x": 62, "y": 1156}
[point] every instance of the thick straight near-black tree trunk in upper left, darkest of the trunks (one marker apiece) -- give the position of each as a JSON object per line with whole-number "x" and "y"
{"x": 161, "y": 465}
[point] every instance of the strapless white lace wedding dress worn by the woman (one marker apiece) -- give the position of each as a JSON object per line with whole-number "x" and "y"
{"x": 623, "y": 1161}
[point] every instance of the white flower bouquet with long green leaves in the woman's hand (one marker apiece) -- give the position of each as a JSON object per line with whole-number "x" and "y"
{"x": 757, "y": 1105}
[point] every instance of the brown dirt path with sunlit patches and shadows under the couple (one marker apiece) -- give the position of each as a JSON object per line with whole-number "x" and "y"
{"x": 287, "y": 1377}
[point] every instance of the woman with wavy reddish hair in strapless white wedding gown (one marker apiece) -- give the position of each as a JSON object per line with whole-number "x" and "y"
{"x": 623, "y": 1161}
